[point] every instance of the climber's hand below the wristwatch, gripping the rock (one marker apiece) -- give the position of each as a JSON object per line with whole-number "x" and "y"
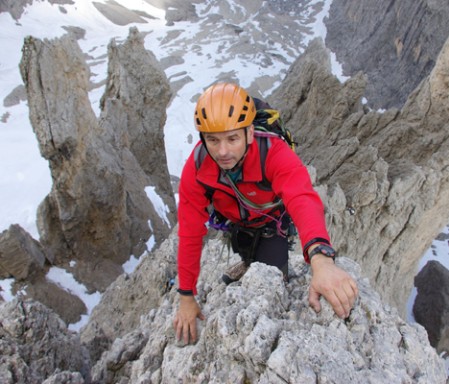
{"x": 335, "y": 284}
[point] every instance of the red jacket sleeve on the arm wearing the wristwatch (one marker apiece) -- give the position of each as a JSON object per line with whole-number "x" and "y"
{"x": 291, "y": 181}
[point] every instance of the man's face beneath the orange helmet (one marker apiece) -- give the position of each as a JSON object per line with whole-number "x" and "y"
{"x": 227, "y": 148}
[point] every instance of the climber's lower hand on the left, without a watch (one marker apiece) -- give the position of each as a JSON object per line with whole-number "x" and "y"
{"x": 185, "y": 319}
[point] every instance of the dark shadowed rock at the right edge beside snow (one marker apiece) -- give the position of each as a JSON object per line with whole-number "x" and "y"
{"x": 431, "y": 308}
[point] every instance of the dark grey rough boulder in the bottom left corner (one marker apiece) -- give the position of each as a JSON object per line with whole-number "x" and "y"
{"x": 35, "y": 344}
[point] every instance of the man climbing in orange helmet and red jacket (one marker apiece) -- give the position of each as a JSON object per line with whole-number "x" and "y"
{"x": 228, "y": 177}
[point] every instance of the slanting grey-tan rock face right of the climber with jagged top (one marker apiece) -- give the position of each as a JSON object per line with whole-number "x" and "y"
{"x": 384, "y": 177}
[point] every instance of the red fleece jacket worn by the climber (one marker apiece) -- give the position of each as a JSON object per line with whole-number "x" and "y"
{"x": 289, "y": 179}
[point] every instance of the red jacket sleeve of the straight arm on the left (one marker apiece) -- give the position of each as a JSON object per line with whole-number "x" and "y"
{"x": 192, "y": 217}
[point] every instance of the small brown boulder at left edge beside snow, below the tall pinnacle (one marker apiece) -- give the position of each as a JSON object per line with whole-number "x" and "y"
{"x": 20, "y": 255}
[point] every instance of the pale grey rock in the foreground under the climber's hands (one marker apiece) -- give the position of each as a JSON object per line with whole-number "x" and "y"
{"x": 260, "y": 330}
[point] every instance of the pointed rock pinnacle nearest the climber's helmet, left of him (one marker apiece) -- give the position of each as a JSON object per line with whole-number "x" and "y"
{"x": 137, "y": 84}
